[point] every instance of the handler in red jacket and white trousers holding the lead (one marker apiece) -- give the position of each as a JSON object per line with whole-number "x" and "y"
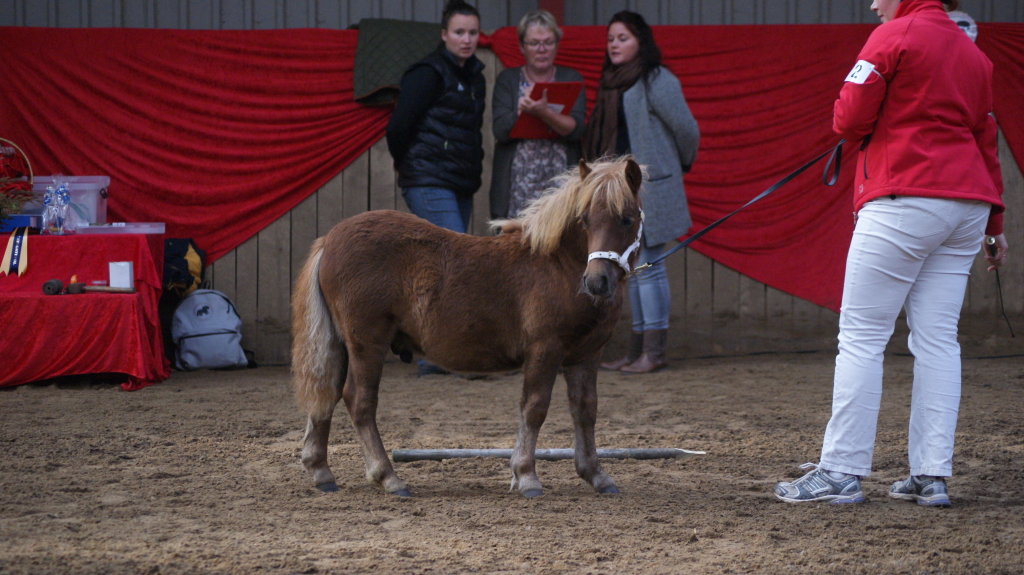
{"x": 919, "y": 102}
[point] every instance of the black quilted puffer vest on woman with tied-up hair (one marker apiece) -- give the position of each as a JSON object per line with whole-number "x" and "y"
{"x": 448, "y": 149}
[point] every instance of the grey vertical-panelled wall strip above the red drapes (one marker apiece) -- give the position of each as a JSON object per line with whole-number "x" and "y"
{"x": 257, "y": 15}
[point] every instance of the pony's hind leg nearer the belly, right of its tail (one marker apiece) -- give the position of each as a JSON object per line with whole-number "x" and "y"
{"x": 361, "y": 393}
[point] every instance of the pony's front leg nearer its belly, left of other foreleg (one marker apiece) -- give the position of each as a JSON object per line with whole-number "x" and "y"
{"x": 539, "y": 377}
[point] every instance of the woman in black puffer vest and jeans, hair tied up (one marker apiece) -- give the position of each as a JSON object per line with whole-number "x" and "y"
{"x": 435, "y": 132}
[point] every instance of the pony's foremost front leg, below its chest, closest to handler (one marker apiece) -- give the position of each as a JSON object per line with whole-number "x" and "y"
{"x": 581, "y": 383}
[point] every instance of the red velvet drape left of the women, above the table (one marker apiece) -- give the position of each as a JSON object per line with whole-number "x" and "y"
{"x": 216, "y": 134}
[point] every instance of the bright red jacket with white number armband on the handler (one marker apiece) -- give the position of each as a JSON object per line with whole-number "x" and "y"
{"x": 920, "y": 102}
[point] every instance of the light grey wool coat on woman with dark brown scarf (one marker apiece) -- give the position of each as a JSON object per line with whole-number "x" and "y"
{"x": 664, "y": 137}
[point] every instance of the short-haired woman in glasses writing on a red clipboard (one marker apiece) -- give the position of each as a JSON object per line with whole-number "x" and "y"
{"x": 531, "y": 151}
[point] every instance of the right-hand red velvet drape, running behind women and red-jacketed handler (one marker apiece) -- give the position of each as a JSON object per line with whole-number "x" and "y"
{"x": 763, "y": 98}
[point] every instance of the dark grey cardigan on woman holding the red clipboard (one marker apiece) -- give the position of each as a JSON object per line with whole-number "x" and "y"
{"x": 503, "y": 105}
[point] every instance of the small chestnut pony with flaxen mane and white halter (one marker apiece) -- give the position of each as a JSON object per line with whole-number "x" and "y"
{"x": 528, "y": 298}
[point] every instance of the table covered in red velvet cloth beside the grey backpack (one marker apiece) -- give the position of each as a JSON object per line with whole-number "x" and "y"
{"x": 44, "y": 337}
